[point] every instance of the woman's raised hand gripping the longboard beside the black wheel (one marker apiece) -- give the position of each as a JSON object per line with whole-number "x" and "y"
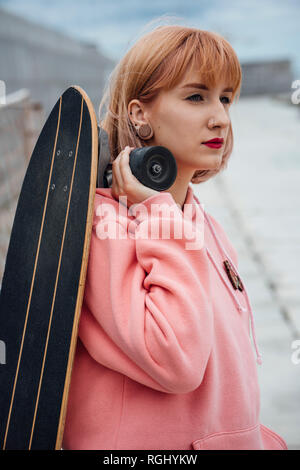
{"x": 124, "y": 183}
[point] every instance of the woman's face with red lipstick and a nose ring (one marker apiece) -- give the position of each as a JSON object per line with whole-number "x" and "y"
{"x": 181, "y": 121}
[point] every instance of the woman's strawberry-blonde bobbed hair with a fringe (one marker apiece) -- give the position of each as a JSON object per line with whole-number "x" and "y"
{"x": 158, "y": 60}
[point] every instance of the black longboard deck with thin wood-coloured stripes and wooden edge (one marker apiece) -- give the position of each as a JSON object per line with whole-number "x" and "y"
{"x": 43, "y": 282}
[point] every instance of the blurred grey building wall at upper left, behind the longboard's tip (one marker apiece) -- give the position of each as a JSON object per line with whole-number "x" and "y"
{"x": 47, "y": 62}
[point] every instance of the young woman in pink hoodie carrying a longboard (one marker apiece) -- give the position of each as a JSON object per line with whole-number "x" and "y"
{"x": 164, "y": 358}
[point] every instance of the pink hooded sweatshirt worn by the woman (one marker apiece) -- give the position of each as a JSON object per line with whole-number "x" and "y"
{"x": 164, "y": 358}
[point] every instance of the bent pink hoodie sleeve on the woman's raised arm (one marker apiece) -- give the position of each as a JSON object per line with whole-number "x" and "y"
{"x": 147, "y": 311}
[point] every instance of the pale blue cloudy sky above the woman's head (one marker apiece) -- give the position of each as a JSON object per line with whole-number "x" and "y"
{"x": 257, "y": 29}
